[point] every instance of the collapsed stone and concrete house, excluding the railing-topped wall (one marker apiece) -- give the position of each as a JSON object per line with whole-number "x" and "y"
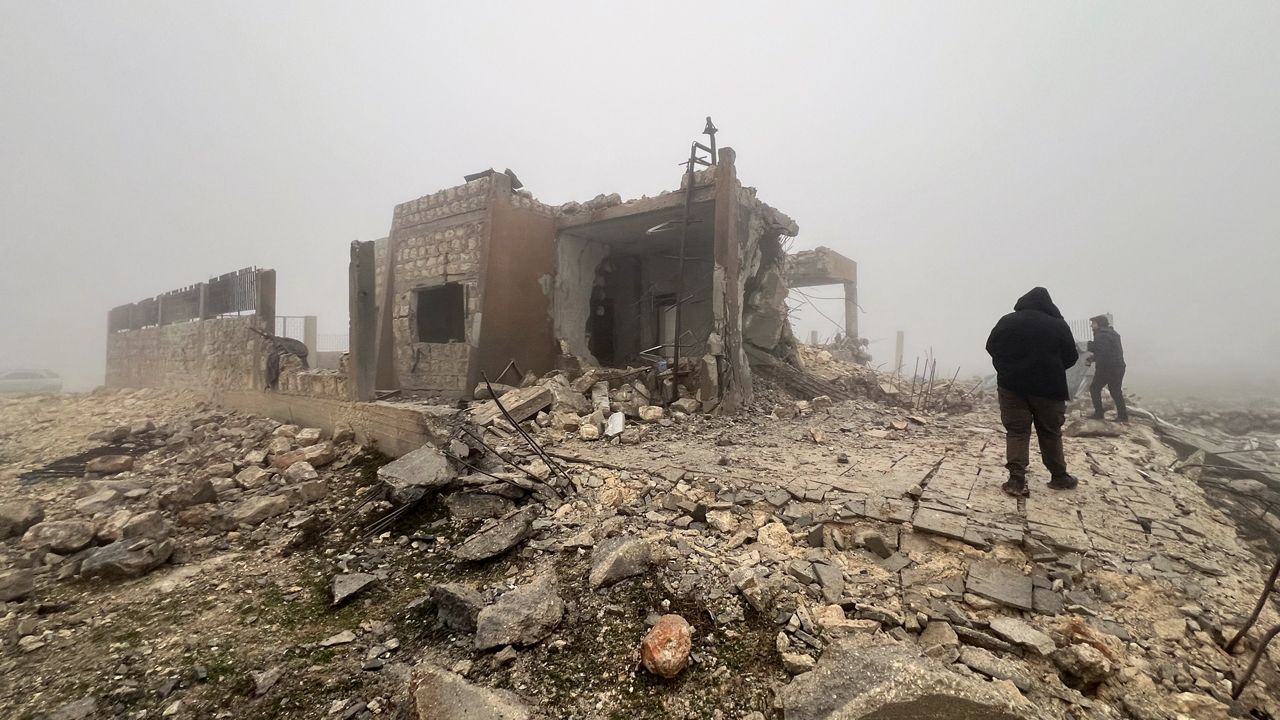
{"x": 483, "y": 275}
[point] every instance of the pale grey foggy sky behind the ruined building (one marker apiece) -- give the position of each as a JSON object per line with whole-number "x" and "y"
{"x": 1123, "y": 156}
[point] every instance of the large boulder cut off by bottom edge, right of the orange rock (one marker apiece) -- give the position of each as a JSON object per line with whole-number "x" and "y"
{"x": 895, "y": 681}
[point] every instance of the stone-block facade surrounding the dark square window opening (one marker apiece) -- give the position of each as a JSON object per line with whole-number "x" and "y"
{"x": 438, "y": 239}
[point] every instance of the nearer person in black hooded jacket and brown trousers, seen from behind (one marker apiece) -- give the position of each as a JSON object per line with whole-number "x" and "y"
{"x": 1031, "y": 349}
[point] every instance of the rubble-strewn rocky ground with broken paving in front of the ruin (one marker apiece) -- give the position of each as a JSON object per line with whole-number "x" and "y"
{"x": 802, "y": 560}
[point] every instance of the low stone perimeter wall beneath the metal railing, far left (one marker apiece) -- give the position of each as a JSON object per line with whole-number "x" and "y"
{"x": 221, "y": 353}
